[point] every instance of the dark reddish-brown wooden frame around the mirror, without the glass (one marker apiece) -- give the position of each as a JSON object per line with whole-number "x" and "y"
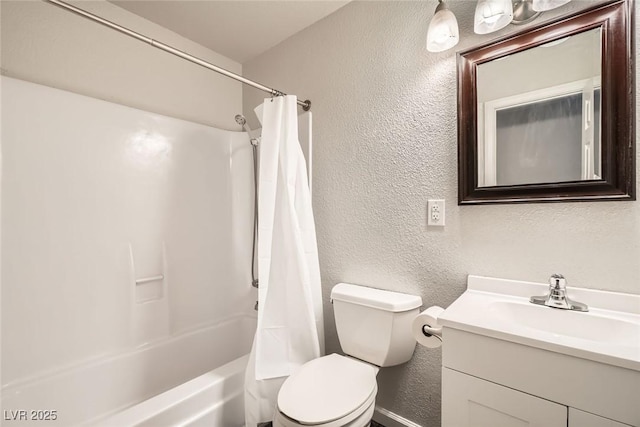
{"x": 617, "y": 109}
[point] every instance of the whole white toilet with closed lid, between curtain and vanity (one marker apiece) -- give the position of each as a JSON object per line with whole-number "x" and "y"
{"x": 374, "y": 329}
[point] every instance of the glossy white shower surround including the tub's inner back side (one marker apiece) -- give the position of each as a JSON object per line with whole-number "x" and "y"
{"x": 95, "y": 196}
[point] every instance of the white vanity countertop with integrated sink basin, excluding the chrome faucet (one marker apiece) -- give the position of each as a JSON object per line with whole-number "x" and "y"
{"x": 608, "y": 333}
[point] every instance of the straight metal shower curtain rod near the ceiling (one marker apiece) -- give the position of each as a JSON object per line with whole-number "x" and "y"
{"x": 306, "y": 105}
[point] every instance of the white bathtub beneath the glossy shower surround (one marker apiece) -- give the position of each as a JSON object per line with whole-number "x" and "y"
{"x": 194, "y": 378}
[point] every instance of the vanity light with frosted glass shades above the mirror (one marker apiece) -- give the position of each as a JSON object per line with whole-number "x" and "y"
{"x": 490, "y": 16}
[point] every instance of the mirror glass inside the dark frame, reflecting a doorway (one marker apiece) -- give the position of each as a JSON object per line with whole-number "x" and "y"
{"x": 539, "y": 114}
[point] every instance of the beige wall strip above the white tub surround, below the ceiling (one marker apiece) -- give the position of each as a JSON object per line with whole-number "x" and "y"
{"x": 44, "y": 44}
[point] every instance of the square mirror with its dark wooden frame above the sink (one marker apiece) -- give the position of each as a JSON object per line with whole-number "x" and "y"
{"x": 548, "y": 114}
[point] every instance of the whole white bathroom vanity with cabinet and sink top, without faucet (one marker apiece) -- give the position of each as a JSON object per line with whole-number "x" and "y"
{"x": 508, "y": 362}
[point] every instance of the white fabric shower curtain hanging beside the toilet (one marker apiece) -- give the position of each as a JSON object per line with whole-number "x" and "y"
{"x": 290, "y": 325}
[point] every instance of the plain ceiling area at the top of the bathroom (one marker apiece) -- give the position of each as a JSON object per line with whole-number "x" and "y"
{"x": 240, "y": 30}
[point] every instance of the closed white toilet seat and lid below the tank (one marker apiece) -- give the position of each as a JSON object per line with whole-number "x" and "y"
{"x": 329, "y": 391}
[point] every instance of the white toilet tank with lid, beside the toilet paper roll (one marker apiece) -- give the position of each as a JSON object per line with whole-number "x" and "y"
{"x": 374, "y": 325}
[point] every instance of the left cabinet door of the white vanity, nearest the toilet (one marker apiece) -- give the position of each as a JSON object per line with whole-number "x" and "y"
{"x": 472, "y": 402}
